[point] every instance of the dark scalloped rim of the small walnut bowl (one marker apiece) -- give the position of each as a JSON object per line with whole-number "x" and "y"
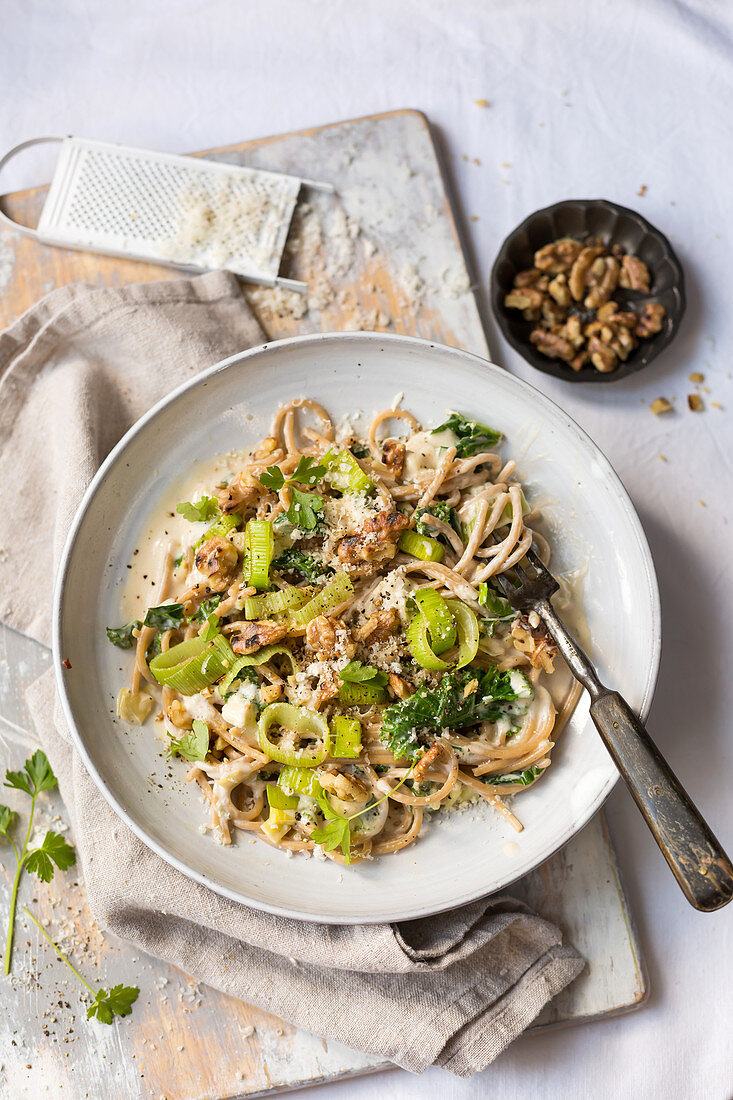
{"x": 553, "y": 368}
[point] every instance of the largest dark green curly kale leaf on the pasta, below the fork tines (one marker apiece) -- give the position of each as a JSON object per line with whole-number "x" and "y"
{"x": 462, "y": 699}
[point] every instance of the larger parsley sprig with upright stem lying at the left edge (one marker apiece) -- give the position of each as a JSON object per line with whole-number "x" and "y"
{"x": 37, "y": 776}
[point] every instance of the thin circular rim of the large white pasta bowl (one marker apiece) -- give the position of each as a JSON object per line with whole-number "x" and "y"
{"x": 468, "y": 360}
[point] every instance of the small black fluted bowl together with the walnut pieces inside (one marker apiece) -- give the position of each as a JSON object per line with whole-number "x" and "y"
{"x": 588, "y": 291}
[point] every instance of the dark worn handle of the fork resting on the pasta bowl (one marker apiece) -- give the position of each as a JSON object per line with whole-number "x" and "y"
{"x": 695, "y": 856}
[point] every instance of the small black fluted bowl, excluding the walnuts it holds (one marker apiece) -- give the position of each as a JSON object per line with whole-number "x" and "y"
{"x": 612, "y": 225}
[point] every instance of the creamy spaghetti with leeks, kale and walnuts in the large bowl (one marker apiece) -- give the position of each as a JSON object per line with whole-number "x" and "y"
{"x": 325, "y": 646}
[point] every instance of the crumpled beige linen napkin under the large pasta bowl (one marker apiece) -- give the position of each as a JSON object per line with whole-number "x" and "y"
{"x": 454, "y": 991}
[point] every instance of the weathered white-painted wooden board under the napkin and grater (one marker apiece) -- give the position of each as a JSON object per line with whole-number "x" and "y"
{"x": 382, "y": 255}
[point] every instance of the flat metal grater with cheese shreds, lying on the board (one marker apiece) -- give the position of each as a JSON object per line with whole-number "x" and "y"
{"x": 182, "y": 212}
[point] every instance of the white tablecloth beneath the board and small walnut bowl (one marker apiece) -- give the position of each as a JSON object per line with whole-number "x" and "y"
{"x": 588, "y": 100}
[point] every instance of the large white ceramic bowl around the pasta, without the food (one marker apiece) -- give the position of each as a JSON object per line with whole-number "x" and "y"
{"x": 594, "y": 526}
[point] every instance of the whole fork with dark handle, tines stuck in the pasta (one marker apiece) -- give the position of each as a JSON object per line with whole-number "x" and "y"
{"x": 697, "y": 860}
